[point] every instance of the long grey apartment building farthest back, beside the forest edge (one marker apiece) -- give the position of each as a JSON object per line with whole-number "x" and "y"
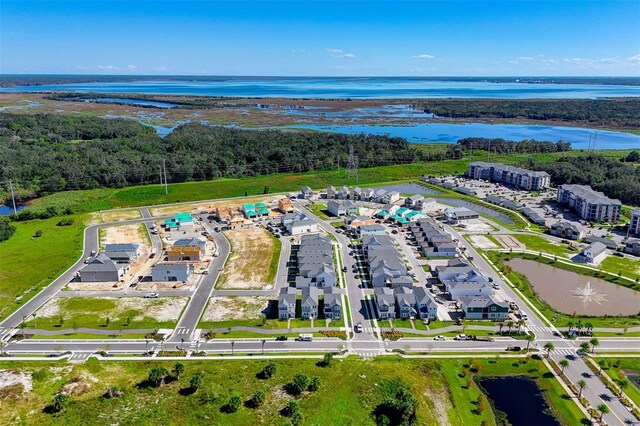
{"x": 509, "y": 175}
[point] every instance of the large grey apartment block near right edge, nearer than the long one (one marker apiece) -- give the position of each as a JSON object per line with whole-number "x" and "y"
{"x": 589, "y": 204}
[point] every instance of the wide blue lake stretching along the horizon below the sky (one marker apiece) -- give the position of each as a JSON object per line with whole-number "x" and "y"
{"x": 315, "y": 88}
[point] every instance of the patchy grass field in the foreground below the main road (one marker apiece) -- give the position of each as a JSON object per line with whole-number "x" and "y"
{"x": 349, "y": 392}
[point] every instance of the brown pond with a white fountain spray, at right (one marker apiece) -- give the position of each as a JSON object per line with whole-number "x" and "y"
{"x": 570, "y": 292}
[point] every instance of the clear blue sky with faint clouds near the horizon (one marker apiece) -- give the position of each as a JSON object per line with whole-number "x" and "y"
{"x": 363, "y": 38}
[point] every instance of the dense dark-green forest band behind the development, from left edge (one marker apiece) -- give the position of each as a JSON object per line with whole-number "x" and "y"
{"x": 48, "y": 153}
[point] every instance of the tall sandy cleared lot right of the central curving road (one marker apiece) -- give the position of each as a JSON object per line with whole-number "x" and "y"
{"x": 253, "y": 261}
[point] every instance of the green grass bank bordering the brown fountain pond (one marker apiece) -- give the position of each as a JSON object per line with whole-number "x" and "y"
{"x": 557, "y": 318}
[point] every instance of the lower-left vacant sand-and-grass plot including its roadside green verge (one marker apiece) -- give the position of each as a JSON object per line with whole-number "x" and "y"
{"x": 79, "y": 312}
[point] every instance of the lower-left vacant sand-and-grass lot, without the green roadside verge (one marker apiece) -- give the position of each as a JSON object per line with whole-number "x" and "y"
{"x": 162, "y": 309}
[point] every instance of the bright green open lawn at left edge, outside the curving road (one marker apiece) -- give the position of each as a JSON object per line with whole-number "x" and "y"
{"x": 29, "y": 263}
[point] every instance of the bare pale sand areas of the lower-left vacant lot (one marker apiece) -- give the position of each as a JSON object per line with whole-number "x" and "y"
{"x": 162, "y": 309}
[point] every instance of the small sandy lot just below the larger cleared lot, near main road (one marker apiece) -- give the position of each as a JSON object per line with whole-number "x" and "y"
{"x": 235, "y": 308}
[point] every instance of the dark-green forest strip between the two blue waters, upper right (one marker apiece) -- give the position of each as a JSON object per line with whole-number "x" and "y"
{"x": 619, "y": 112}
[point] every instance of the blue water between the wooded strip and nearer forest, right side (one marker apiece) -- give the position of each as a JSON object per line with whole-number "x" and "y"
{"x": 447, "y": 132}
